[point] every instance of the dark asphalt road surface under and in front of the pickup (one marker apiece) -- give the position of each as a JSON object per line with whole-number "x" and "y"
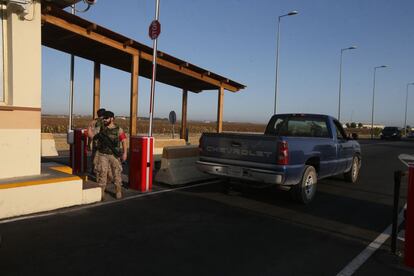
{"x": 202, "y": 231}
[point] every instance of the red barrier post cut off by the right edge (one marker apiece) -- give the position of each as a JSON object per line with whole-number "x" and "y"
{"x": 409, "y": 222}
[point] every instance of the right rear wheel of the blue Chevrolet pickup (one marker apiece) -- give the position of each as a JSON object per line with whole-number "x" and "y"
{"x": 305, "y": 190}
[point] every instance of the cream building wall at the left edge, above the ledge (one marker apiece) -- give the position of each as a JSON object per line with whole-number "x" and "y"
{"x": 21, "y": 112}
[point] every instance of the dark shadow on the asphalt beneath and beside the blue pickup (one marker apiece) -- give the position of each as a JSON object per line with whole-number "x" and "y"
{"x": 334, "y": 210}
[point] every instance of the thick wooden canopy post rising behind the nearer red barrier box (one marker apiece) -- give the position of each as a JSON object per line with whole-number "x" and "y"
{"x": 134, "y": 95}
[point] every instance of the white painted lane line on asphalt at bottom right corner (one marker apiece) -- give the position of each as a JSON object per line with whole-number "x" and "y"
{"x": 359, "y": 260}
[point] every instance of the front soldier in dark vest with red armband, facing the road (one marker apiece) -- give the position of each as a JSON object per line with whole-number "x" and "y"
{"x": 108, "y": 155}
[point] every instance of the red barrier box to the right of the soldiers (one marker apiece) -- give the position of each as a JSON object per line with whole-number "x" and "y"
{"x": 141, "y": 163}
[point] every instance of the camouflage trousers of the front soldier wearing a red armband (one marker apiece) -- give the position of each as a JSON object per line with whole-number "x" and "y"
{"x": 108, "y": 167}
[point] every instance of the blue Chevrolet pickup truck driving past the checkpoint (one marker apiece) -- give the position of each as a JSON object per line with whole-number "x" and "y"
{"x": 295, "y": 151}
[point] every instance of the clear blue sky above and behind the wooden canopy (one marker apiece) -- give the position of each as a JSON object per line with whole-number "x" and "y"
{"x": 237, "y": 39}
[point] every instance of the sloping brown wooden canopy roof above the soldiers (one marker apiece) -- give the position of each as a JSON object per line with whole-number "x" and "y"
{"x": 74, "y": 35}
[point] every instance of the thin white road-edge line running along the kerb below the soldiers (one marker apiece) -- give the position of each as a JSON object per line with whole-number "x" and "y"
{"x": 93, "y": 205}
